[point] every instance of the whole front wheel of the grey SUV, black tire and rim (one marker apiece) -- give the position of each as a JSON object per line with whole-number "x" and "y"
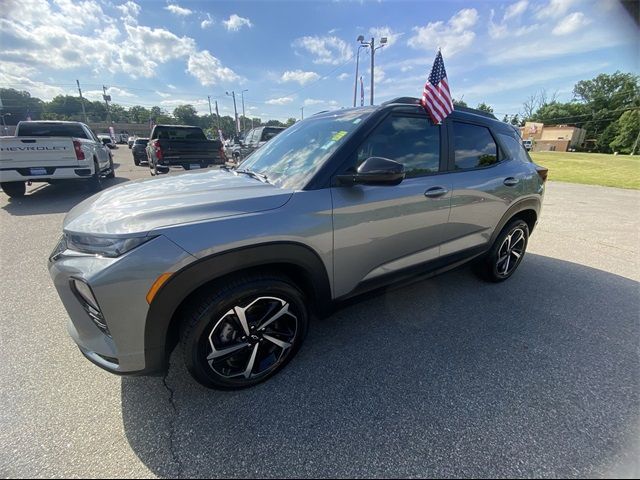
{"x": 213, "y": 320}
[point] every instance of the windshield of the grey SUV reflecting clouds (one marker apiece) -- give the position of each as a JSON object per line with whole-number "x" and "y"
{"x": 291, "y": 158}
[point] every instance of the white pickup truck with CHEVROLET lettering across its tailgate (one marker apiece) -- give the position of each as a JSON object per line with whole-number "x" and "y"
{"x": 52, "y": 151}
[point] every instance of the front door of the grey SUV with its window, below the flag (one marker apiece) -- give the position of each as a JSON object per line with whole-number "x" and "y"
{"x": 382, "y": 230}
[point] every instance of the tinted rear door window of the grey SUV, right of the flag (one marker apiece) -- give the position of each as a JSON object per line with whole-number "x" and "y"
{"x": 474, "y": 146}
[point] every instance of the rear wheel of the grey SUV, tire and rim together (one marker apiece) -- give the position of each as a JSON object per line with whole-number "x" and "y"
{"x": 505, "y": 257}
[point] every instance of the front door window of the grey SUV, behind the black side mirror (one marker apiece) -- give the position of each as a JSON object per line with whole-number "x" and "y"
{"x": 410, "y": 140}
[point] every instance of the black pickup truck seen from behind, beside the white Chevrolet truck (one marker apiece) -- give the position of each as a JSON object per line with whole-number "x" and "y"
{"x": 183, "y": 146}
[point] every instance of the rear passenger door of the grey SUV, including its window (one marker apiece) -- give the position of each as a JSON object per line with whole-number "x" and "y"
{"x": 485, "y": 183}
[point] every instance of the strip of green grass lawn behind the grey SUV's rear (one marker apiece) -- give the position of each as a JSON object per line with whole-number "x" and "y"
{"x": 591, "y": 168}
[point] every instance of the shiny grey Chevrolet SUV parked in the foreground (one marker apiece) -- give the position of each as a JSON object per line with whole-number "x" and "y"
{"x": 232, "y": 263}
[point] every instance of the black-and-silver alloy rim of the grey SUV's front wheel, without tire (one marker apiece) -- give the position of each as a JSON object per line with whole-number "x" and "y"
{"x": 252, "y": 340}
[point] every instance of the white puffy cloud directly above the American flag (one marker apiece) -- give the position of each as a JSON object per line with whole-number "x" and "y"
{"x": 453, "y": 37}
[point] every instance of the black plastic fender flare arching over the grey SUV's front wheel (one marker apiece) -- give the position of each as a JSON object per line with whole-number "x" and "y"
{"x": 184, "y": 282}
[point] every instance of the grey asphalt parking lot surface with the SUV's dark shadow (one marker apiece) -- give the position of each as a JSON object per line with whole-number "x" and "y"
{"x": 538, "y": 376}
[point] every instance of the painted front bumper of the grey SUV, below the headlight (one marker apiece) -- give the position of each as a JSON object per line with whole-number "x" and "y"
{"x": 120, "y": 286}
